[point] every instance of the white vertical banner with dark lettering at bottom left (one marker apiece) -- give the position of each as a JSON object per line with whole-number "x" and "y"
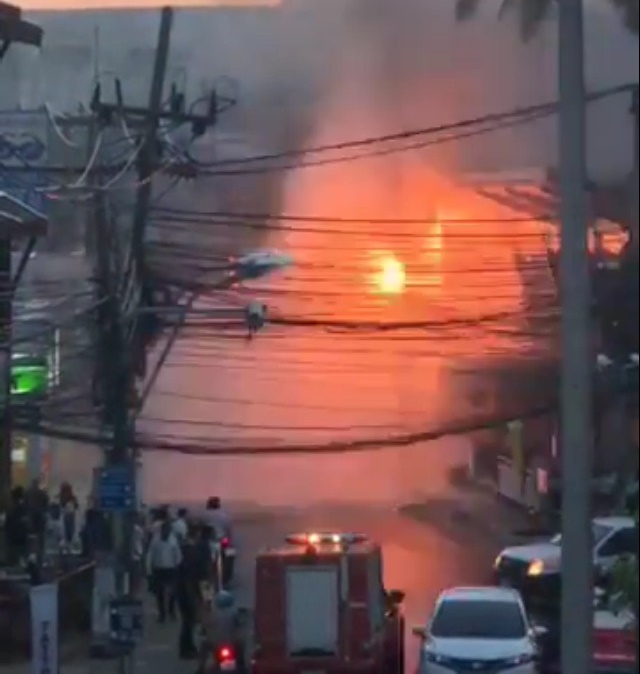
{"x": 44, "y": 629}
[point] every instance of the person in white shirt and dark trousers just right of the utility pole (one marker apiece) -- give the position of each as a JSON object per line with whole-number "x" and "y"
{"x": 163, "y": 558}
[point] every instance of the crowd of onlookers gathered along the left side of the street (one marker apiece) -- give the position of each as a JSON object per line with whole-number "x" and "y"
{"x": 175, "y": 551}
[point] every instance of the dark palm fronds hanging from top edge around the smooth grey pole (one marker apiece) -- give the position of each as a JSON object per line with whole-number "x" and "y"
{"x": 531, "y": 13}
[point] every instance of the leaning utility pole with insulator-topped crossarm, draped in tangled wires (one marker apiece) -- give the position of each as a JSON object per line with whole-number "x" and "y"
{"x": 123, "y": 286}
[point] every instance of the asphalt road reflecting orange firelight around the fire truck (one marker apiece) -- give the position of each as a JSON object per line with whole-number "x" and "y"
{"x": 419, "y": 559}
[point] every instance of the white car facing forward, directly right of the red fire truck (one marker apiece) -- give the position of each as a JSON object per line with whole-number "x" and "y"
{"x": 478, "y": 629}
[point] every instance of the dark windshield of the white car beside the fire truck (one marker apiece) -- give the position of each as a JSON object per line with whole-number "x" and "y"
{"x": 461, "y": 619}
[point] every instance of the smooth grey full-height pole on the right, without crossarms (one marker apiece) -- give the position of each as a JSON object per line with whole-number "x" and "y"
{"x": 577, "y": 360}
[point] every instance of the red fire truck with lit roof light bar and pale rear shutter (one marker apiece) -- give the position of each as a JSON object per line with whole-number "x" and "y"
{"x": 321, "y": 608}
